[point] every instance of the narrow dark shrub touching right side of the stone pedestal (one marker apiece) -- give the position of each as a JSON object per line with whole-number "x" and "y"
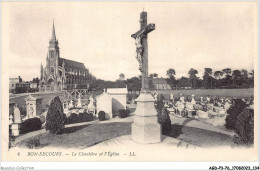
{"x": 165, "y": 121}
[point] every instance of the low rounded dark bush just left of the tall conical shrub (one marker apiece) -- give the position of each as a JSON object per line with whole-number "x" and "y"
{"x": 29, "y": 125}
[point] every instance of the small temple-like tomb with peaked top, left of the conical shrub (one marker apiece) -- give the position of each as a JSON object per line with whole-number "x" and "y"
{"x": 33, "y": 106}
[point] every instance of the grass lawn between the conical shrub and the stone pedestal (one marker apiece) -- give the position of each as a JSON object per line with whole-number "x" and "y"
{"x": 83, "y": 136}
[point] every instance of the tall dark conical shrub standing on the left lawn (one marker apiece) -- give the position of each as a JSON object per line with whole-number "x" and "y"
{"x": 55, "y": 117}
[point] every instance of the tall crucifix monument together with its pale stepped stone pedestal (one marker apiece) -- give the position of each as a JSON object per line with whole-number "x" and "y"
{"x": 145, "y": 128}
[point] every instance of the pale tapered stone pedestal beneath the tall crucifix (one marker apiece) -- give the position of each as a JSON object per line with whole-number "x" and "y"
{"x": 145, "y": 128}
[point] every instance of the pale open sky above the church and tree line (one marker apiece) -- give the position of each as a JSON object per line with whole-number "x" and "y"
{"x": 187, "y": 35}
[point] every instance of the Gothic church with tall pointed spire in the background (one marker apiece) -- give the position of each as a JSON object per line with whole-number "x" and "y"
{"x": 62, "y": 74}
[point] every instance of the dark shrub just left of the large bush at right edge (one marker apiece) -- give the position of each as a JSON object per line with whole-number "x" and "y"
{"x": 233, "y": 112}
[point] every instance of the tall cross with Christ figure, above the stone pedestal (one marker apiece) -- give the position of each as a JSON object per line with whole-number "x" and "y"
{"x": 142, "y": 48}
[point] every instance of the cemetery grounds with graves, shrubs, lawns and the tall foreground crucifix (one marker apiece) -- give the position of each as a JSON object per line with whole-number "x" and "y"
{"x": 75, "y": 118}
